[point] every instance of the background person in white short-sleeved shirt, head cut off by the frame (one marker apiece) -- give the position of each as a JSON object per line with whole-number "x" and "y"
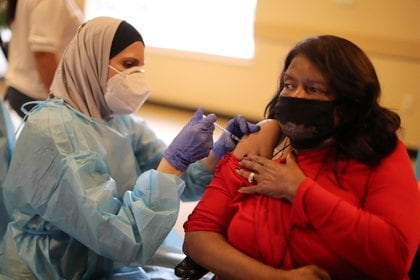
{"x": 40, "y": 29}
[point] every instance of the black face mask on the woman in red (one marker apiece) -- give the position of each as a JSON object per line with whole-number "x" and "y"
{"x": 306, "y": 122}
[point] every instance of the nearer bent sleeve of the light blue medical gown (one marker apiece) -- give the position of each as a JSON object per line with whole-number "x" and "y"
{"x": 58, "y": 182}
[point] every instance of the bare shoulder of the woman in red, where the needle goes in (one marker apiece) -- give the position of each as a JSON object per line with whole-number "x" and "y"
{"x": 262, "y": 142}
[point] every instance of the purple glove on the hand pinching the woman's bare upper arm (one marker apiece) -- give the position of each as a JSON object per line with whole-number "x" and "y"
{"x": 237, "y": 126}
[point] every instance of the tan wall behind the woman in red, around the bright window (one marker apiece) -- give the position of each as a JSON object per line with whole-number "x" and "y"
{"x": 388, "y": 30}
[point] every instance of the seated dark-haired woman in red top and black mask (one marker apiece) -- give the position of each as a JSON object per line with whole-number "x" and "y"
{"x": 337, "y": 190}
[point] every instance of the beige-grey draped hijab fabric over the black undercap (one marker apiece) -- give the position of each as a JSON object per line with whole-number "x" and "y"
{"x": 81, "y": 76}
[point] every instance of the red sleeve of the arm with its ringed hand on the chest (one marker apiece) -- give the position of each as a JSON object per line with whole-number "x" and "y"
{"x": 383, "y": 236}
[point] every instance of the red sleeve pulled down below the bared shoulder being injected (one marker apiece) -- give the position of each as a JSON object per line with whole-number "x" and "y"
{"x": 212, "y": 212}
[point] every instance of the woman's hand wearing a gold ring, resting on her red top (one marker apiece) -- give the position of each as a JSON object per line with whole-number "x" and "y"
{"x": 278, "y": 180}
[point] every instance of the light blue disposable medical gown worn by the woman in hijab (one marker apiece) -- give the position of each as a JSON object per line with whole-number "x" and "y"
{"x": 81, "y": 194}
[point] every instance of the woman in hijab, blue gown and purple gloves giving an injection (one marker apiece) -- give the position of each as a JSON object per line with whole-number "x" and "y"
{"x": 82, "y": 195}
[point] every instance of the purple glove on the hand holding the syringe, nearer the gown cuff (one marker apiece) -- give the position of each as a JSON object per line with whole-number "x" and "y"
{"x": 193, "y": 142}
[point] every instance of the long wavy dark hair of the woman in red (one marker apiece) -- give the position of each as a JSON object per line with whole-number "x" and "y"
{"x": 366, "y": 132}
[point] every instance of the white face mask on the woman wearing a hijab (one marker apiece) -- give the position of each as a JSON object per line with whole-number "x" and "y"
{"x": 126, "y": 91}
